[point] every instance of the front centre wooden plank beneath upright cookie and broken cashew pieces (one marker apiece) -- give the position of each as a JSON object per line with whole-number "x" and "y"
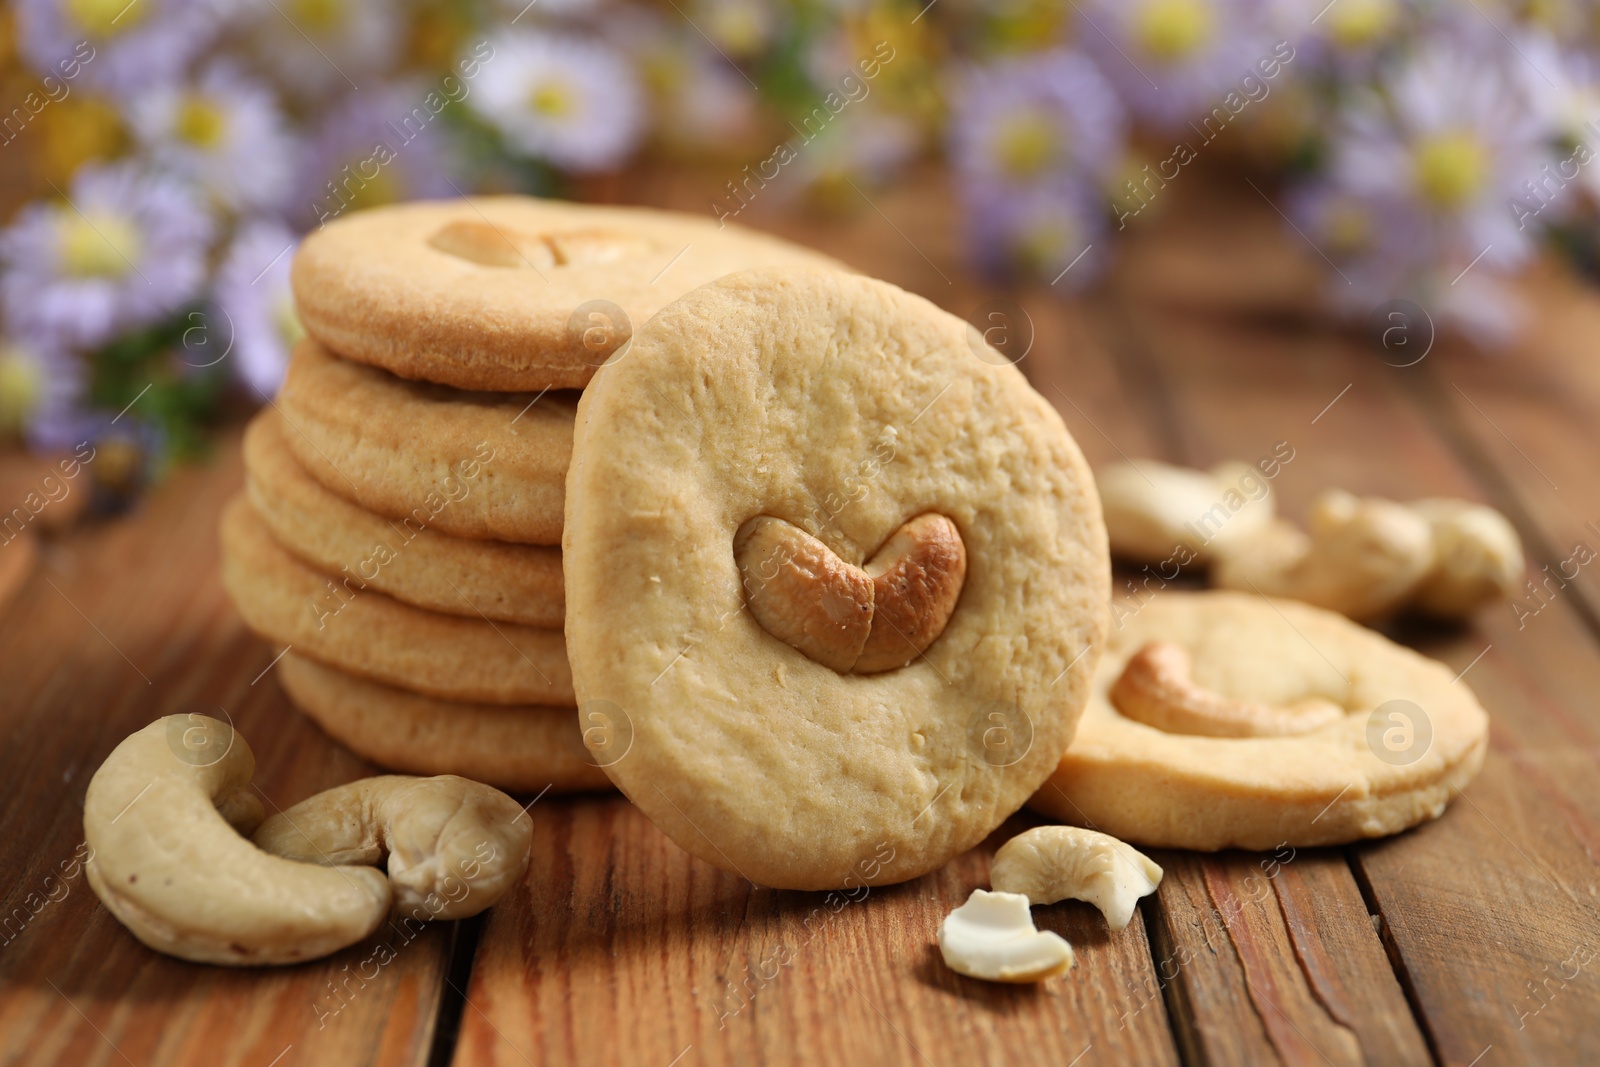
{"x": 623, "y": 949}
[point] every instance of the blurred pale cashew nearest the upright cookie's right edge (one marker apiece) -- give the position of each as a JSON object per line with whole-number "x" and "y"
{"x": 1154, "y": 510}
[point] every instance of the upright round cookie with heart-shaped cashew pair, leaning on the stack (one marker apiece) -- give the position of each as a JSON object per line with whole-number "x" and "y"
{"x": 833, "y": 415}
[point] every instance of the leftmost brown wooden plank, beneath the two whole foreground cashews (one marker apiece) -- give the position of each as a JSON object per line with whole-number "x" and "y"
{"x": 127, "y": 621}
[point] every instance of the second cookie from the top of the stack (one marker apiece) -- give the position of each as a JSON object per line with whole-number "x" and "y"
{"x": 478, "y": 466}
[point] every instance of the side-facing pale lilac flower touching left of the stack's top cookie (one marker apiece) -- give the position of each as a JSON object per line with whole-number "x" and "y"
{"x": 254, "y": 298}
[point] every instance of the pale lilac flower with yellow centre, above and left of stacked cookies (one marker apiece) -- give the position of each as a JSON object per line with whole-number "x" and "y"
{"x": 225, "y": 134}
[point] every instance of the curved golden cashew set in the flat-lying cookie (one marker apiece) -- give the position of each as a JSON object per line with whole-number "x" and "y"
{"x": 1156, "y": 689}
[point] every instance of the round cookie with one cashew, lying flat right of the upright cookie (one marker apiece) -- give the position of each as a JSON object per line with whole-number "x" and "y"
{"x": 1402, "y": 740}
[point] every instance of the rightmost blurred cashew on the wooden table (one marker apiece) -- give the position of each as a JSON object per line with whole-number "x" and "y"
{"x": 1478, "y": 559}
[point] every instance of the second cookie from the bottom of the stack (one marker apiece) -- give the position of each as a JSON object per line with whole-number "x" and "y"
{"x": 377, "y": 637}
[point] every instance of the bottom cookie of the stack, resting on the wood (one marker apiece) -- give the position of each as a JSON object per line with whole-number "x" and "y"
{"x": 524, "y": 749}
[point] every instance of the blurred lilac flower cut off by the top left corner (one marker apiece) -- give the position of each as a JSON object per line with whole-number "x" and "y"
{"x": 121, "y": 44}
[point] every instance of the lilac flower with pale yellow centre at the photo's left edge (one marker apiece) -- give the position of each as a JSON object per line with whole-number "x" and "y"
{"x": 127, "y": 249}
